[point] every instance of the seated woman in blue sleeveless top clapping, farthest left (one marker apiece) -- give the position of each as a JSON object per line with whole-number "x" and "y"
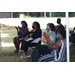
{"x": 21, "y": 35}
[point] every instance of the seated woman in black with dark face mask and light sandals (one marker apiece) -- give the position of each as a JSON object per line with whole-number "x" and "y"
{"x": 35, "y": 33}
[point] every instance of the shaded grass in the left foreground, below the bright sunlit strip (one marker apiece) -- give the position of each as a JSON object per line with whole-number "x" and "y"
{"x": 7, "y": 55}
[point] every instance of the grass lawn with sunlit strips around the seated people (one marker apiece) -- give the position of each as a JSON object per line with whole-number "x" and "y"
{"x": 7, "y": 54}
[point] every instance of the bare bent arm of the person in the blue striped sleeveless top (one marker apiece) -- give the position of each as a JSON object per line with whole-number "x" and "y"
{"x": 52, "y": 45}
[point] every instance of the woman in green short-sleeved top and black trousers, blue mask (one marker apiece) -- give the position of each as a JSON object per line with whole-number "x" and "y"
{"x": 43, "y": 49}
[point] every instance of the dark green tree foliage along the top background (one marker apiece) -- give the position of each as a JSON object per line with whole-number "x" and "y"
{"x": 41, "y": 14}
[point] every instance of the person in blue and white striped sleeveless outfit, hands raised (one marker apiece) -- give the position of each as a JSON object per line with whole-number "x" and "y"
{"x": 59, "y": 49}
